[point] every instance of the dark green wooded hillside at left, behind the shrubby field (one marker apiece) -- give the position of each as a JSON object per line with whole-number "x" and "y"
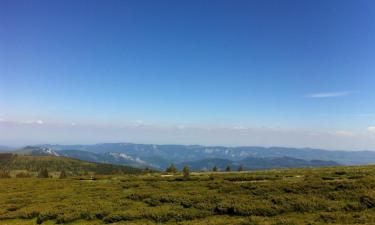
{"x": 30, "y": 163}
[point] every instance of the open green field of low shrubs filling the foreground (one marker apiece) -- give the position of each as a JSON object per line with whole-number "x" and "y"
{"x": 339, "y": 195}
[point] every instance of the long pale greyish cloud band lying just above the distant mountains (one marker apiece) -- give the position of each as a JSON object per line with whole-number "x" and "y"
{"x": 60, "y": 133}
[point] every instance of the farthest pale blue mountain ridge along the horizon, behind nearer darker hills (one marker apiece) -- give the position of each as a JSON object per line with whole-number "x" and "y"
{"x": 197, "y": 152}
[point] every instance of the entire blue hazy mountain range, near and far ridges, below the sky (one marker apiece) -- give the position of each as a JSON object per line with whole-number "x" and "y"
{"x": 202, "y": 157}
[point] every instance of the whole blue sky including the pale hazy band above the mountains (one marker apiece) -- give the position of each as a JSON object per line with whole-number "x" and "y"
{"x": 289, "y": 73}
